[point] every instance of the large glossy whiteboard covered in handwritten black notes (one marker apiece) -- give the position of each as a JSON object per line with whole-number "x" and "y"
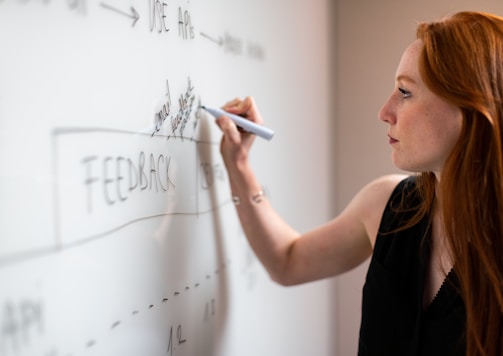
{"x": 117, "y": 232}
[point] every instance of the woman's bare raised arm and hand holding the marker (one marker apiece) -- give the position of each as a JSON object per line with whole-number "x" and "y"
{"x": 290, "y": 257}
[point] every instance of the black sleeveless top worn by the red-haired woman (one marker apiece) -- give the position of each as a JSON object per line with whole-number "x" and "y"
{"x": 393, "y": 320}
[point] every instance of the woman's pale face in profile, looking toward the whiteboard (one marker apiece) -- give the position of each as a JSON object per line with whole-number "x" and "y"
{"x": 423, "y": 127}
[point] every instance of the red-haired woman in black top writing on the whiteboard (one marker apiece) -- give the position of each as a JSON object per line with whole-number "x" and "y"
{"x": 435, "y": 281}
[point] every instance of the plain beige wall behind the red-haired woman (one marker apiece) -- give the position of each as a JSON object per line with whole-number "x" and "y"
{"x": 370, "y": 37}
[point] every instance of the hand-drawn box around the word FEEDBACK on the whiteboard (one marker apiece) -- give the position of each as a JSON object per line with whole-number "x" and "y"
{"x": 107, "y": 179}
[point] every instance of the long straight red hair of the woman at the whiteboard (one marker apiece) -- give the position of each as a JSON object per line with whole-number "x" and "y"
{"x": 462, "y": 61}
